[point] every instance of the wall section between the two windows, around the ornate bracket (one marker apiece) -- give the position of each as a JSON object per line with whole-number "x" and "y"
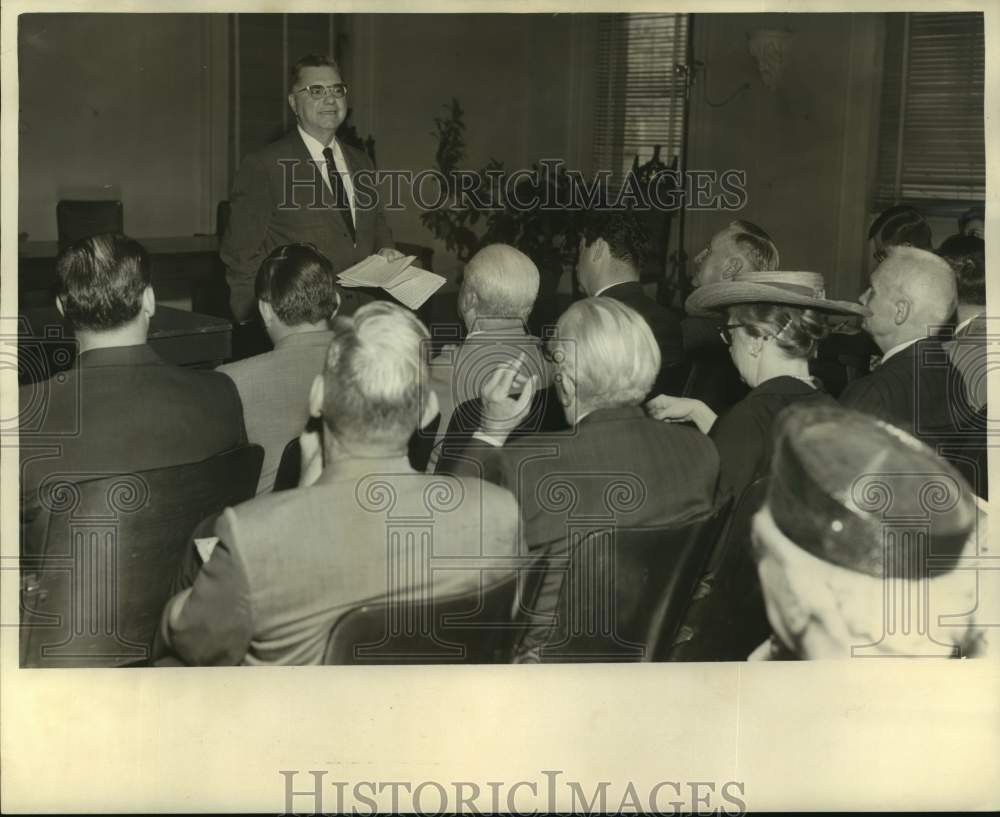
{"x": 805, "y": 146}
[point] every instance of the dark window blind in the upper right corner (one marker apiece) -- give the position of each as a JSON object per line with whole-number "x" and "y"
{"x": 931, "y": 140}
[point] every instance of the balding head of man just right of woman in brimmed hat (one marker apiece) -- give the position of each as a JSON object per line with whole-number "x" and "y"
{"x": 912, "y": 291}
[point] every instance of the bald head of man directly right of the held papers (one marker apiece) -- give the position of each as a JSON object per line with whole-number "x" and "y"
{"x": 499, "y": 282}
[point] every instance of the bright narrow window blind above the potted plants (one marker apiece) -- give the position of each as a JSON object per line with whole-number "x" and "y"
{"x": 640, "y": 99}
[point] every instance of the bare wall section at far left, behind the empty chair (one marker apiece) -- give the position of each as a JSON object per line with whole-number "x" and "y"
{"x": 129, "y": 106}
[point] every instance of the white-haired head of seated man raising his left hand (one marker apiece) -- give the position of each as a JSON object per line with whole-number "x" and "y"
{"x": 609, "y": 350}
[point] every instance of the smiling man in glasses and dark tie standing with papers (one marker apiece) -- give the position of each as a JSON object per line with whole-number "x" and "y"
{"x": 304, "y": 188}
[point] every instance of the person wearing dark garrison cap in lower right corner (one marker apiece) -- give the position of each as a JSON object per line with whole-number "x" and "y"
{"x": 844, "y": 572}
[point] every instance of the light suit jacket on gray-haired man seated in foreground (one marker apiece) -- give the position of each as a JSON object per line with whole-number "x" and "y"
{"x": 289, "y": 564}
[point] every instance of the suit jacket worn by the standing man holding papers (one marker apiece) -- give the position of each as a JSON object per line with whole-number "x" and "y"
{"x": 280, "y": 198}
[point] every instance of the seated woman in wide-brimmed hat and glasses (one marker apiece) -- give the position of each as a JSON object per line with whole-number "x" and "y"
{"x": 772, "y": 327}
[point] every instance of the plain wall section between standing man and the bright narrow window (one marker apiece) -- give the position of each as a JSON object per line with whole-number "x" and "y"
{"x": 513, "y": 74}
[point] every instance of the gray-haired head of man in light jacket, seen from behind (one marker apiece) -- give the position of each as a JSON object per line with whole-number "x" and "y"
{"x": 374, "y": 374}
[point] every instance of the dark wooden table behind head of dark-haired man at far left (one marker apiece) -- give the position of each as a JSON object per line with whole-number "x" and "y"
{"x": 46, "y": 342}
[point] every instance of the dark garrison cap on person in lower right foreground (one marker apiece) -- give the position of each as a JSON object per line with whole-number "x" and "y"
{"x": 862, "y": 494}
